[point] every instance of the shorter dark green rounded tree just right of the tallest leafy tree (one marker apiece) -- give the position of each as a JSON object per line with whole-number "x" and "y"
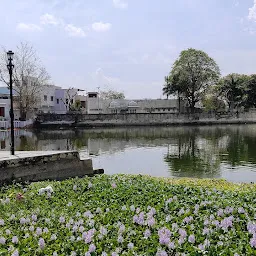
{"x": 233, "y": 88}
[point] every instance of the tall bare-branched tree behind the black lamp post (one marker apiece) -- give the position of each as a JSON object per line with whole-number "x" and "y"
{"x": 28, "y": 75}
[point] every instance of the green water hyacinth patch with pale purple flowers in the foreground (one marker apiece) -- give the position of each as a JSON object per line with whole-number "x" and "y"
{"x": 128, "y": 215}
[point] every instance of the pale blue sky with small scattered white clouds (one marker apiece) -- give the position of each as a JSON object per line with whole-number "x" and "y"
{"x": 129, "y": 45}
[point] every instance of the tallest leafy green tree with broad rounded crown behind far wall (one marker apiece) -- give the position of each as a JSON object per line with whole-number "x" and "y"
{"x": 191, "y": 76}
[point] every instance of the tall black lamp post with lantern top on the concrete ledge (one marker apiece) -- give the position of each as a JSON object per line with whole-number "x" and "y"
{"x": 10, "y": 67}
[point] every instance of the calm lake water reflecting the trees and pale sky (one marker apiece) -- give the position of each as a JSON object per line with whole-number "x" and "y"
{"x": 227, "y": 151}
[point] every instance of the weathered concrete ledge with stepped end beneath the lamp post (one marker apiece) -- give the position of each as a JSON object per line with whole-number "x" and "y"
{"x": 37, "y": 166}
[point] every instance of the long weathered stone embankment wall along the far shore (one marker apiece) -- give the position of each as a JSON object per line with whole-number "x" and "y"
{"x": 108, "y": 120}
